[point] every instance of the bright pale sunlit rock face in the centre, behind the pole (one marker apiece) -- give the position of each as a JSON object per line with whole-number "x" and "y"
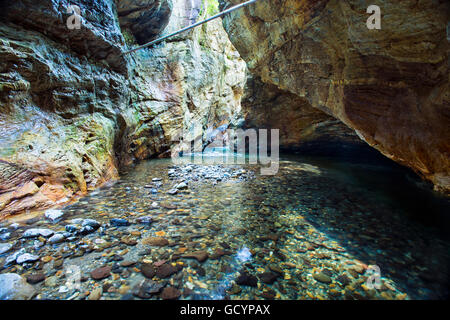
{"x": 192, "y": 82}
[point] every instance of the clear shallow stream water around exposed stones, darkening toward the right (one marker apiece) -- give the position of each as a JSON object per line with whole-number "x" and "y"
{"x": 317, "y": 215}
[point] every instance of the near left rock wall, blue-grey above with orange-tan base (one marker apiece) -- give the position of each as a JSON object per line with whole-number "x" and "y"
{"x": 60, "y": 92}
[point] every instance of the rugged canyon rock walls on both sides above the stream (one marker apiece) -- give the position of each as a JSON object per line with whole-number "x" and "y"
{"x": 75, "y": 108}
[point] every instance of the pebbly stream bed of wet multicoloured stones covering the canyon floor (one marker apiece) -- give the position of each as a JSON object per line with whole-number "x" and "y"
{"x": 310, "y": 232}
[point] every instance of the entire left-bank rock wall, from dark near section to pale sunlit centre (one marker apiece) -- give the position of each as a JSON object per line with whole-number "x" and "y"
{"x": 73, "y": 107}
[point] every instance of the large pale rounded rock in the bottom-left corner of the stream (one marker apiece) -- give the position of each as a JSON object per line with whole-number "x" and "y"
{"x": 15, "y": 287}
